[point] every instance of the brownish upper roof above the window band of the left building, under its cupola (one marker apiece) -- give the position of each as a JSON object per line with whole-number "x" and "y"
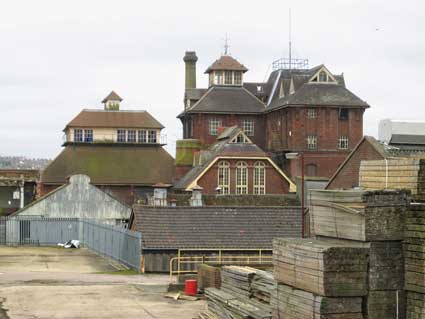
{"x": 114, "y": 119}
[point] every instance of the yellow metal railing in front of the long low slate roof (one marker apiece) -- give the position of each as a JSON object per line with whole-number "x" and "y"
{"x": 262, "y": 257}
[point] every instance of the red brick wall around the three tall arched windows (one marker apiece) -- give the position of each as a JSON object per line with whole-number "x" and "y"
{"x": 275, "y": 183}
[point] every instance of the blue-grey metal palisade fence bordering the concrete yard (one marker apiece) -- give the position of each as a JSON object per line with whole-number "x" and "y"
{"x": 115, "y": 242}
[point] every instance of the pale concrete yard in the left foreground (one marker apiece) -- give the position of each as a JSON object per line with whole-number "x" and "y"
{"x": 50, "y": 282}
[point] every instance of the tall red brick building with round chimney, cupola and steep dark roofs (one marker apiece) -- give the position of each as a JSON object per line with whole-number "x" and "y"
{"x": 298, "y": 109}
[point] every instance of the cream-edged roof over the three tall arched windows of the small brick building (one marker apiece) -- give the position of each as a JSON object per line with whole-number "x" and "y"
{"x": 222, "y": 149}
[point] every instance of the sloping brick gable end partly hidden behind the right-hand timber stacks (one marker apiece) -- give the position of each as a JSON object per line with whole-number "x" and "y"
{"x": 348, "y": 176}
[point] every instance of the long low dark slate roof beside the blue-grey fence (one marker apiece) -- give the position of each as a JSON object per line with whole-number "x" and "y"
{"x": 214, "y": 227}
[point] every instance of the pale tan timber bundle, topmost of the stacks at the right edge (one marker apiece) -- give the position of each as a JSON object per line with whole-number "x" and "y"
{"x": 402, "y": 173}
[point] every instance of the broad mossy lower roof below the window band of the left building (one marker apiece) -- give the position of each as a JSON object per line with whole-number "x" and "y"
{"x": 112, "y": 165}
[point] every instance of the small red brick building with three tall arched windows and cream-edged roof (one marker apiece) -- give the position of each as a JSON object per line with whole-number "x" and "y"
{"x": 235, "y": 165}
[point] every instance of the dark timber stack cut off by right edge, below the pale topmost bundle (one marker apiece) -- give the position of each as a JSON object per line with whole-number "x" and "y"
{"x": 414, "y": 249}
